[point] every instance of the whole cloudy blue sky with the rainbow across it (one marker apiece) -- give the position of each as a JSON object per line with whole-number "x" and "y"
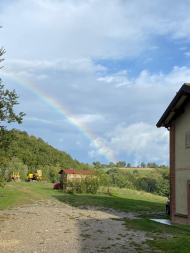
{"x": 95, "y": 76}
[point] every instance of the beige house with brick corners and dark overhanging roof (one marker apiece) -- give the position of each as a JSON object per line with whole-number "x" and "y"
{"x": 176, "y": 119}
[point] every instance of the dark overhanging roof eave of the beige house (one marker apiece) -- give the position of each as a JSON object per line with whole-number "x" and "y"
{"x": 176, "y": 107}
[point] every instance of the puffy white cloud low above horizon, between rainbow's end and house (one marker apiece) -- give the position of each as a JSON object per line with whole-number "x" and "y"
{"x": 141, "y": 140}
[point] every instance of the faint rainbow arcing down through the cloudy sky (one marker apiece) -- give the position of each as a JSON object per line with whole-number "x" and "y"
{"x": 63, "y": 111}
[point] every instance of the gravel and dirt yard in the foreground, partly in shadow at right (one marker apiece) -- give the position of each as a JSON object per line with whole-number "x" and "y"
{"x": 51, "y": 226}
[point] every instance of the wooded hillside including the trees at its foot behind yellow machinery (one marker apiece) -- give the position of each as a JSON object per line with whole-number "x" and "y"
{"x": 24, "y": 153}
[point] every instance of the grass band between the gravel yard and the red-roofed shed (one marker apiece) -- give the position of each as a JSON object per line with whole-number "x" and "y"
{"x": 122, "y": 199}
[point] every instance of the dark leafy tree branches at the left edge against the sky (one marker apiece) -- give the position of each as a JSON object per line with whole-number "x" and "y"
{"x": 7, "y": 101}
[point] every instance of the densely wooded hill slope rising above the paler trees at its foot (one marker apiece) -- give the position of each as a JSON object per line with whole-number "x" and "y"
{"x": 33, "y": 151}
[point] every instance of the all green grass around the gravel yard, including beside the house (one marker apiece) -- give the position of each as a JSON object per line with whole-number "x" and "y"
{"x": 163, "y": 238}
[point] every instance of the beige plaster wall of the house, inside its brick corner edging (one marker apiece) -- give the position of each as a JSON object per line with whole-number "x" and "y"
{"x": 182, "y": 160}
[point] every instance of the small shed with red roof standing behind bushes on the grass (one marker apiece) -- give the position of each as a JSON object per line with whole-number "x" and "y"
{"x": 73, "y": 175}
